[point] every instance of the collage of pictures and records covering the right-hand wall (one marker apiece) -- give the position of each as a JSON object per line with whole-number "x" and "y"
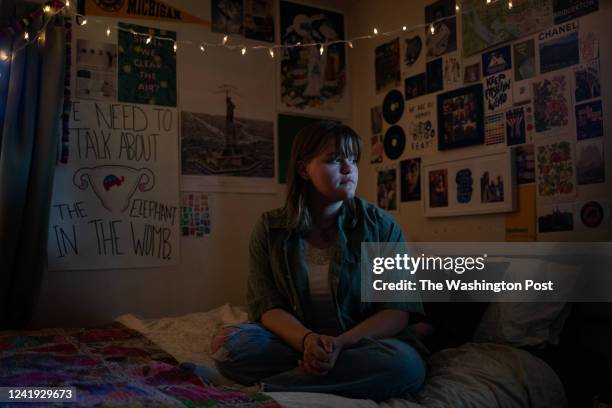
{"x": 532, "y": 92}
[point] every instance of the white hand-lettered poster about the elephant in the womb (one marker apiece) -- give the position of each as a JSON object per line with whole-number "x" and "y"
{"x": 116, "y": 203}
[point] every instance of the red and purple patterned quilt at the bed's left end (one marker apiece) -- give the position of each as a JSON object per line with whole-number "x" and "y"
{"x": 110, "y": 366}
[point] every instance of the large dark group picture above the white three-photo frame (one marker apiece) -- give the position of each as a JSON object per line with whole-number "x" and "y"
{"x": 460, "y": 118}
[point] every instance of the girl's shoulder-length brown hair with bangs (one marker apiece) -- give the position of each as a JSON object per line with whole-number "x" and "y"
{"x": 308, "y": 143}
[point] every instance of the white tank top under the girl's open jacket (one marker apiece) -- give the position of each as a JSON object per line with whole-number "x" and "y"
{"x": 321, "y": 302}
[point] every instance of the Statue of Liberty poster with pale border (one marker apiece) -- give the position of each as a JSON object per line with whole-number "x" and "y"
{"x": 227, "y": 120}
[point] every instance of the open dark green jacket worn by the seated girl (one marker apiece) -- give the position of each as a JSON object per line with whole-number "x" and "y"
{"x": 278, "y": 276}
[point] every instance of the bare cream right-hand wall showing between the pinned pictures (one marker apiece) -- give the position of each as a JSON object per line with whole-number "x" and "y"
{"x": 388, "y": 15}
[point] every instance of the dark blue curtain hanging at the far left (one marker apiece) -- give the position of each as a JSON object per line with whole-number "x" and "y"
{"x": 28, "y": 149}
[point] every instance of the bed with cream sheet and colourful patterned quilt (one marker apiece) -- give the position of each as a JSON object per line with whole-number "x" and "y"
{"x": 137, "y": 362}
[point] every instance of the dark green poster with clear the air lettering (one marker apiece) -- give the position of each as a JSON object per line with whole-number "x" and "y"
{"x": 146, "y": 70}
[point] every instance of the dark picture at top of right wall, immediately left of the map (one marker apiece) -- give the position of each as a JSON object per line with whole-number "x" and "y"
{"x": 441, "y": 15}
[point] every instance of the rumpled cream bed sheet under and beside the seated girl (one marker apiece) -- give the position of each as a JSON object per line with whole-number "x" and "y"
{"x": 475, "y": 374}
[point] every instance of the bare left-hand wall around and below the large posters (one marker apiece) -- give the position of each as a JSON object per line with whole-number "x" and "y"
{"x": 212, "y": 270}
